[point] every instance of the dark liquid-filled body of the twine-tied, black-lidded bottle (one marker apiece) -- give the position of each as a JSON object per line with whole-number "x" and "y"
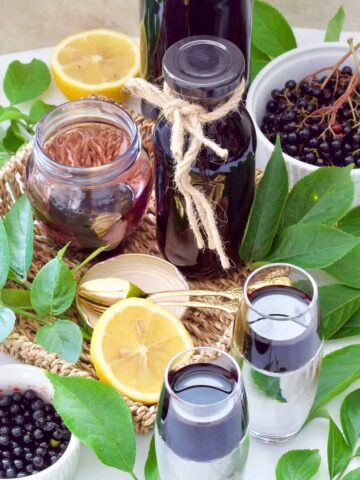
{"x": 229, "y": 185}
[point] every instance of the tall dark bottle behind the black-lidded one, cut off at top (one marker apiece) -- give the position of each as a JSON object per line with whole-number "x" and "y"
{"x": 164, "y": 22}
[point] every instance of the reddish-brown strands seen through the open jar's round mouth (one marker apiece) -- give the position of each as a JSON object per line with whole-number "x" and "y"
{"x": 87, "y": 145}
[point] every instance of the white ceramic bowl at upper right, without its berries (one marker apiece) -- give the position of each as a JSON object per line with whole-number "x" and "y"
{"x": 295, "y": 64}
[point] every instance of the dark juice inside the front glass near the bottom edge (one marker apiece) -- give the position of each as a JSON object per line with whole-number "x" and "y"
{"x": 197, "y": 439}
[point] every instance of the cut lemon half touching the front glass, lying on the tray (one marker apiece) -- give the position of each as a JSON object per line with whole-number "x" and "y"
{"x": 132, "y": 343}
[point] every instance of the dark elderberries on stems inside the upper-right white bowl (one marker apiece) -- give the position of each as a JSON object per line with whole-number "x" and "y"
{"x": 299, "y": 114}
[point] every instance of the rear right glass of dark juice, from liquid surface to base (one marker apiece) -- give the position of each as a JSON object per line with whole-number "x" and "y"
{"x": 278, "y": 341}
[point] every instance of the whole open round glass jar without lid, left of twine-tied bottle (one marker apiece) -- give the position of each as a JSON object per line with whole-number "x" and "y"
{"x": 86, "y": 197}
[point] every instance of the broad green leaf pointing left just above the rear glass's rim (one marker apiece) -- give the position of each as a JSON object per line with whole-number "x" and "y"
{"x": 311, "y": 245}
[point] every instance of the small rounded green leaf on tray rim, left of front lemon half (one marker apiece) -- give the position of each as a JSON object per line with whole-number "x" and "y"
{"x": 62, "y": 337}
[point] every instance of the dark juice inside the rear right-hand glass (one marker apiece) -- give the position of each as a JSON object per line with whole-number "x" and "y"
{"x": 279, "y": 345}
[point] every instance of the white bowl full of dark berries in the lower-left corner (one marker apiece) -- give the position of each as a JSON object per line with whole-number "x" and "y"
{"x": 34, "y": 441}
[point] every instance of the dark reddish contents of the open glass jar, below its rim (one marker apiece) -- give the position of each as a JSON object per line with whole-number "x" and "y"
{"x": 86, "y": 214}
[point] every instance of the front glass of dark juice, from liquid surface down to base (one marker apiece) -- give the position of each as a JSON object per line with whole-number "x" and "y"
{"x": 201, "y": 429}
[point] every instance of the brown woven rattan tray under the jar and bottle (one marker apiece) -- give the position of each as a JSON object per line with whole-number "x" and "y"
{"x": 207, "y": 327}
